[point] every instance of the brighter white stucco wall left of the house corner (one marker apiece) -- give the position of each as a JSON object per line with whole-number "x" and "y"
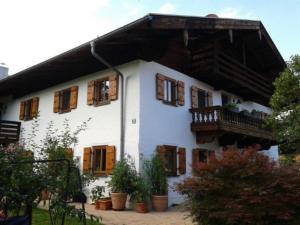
{"x": 104, "y": 127}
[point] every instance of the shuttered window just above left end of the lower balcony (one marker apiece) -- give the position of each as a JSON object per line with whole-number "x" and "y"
{"x": 200, "y": 98}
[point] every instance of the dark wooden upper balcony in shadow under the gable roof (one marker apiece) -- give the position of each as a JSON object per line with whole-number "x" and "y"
{"x": 215, "y": 67}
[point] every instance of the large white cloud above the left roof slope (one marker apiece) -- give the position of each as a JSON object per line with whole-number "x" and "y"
{"x": 34, "y": 30}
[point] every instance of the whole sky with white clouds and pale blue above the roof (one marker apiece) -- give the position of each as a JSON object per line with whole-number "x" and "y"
{"x": 32, "y": 31}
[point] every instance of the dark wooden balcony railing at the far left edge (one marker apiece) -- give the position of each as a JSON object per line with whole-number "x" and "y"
{"x": 9, "y": 132}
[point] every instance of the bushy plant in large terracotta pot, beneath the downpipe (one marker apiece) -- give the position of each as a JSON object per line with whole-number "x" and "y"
{"x": 121, "y": 183}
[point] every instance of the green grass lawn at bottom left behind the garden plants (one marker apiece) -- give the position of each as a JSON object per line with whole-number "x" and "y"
{"x": 41, "y": 217}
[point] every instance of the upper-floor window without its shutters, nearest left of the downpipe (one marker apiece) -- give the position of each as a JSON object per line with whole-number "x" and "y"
{"x": 102, "y": 91}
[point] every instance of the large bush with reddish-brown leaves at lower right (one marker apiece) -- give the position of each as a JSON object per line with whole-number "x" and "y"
{"x": 244, "y": 189}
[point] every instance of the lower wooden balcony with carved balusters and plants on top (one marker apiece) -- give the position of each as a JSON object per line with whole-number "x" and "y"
{"x": 217, "y": 121}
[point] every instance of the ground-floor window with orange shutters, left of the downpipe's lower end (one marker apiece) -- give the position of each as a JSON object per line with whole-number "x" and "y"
{"x": 99, "y": 160}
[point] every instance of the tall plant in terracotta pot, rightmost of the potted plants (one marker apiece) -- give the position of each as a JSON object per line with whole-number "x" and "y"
{"x": 157, "y": 181}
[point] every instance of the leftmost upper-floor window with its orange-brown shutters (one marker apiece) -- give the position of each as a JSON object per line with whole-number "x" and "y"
{"x": 29, "y": 109}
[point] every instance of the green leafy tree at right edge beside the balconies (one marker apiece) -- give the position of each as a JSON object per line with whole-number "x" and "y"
{"x": 285, "y": 104}
